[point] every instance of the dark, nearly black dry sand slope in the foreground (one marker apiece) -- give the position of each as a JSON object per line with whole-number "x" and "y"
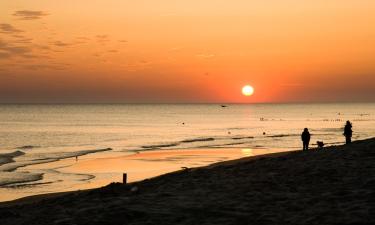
{"x": 331, "y": 186}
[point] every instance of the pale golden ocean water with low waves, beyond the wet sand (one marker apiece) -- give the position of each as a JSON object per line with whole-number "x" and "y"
{"x": 39, "y": 134}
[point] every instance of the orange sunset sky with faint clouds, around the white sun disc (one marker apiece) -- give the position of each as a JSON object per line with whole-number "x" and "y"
{"x": 187, "y": 50}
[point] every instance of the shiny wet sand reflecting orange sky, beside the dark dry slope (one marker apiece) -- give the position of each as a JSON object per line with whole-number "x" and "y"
{"x": 102, "y": 168}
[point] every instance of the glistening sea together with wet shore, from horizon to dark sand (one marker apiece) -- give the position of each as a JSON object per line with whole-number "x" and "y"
{"x": 68, "y": 147}
